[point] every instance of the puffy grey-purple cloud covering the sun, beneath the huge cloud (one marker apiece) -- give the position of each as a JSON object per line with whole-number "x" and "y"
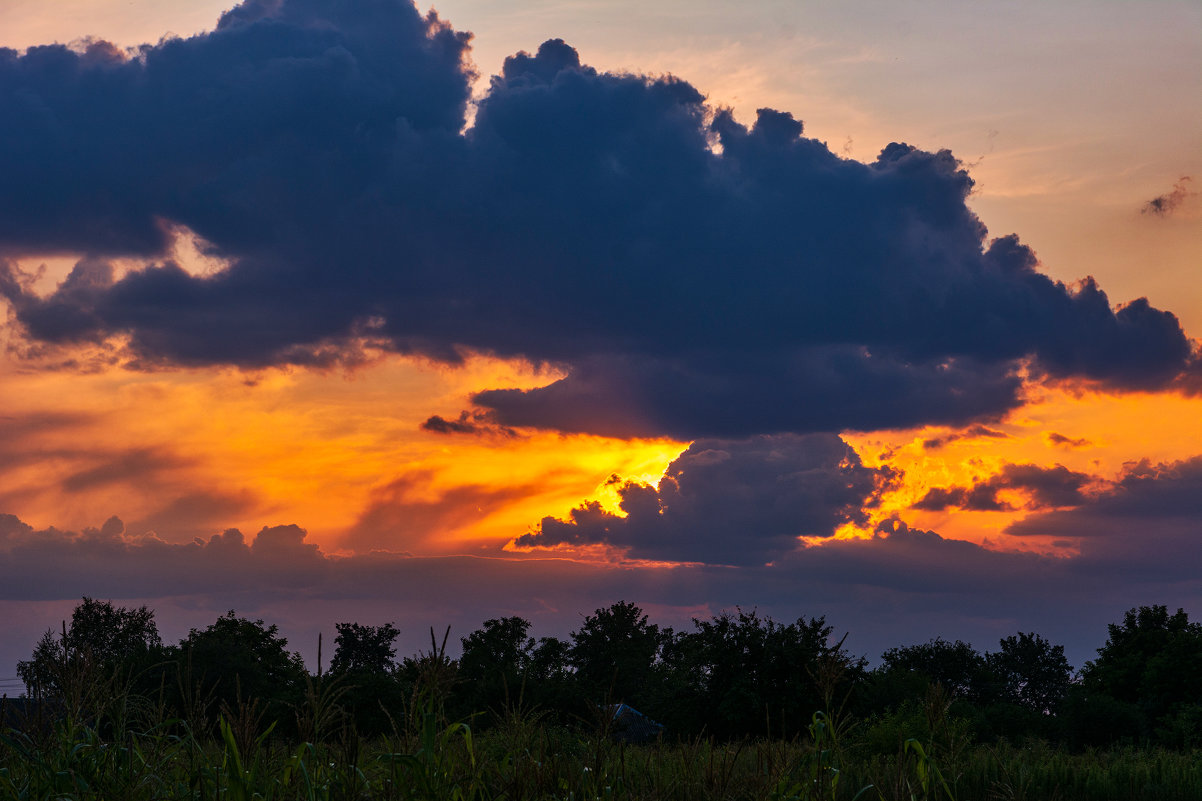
{"x": 730, "y": 502}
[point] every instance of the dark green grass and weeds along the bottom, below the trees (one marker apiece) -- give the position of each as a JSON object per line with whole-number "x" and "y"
{"x": 133, "y": 752}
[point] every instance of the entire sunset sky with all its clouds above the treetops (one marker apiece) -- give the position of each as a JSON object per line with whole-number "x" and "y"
{"x": 354, "y": 311}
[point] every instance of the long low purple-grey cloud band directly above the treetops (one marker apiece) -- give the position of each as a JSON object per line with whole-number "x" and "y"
{"x": 900, "y": 588}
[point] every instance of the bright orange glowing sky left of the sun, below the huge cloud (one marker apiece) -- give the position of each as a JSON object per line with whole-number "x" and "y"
{"x": 316, "y": 449}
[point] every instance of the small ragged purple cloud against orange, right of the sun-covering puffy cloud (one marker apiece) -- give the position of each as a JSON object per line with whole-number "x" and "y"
{"x": 1045, "y": 488}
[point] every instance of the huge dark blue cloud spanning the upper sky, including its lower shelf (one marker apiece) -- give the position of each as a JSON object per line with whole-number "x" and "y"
{"x": 693, "y": 276}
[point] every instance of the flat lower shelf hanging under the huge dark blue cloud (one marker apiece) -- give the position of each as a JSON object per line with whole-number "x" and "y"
{"x": 737, "y": 395}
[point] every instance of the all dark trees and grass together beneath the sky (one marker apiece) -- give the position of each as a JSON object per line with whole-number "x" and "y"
{"x": 749, "y": 708}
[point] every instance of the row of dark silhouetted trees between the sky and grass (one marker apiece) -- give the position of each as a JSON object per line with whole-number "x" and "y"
{"x": 736, "y": 675}
